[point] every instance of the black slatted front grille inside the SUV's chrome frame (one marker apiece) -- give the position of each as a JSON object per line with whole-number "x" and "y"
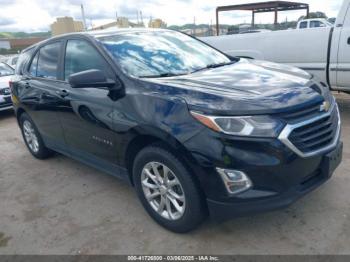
{"x": 316, "y": 135}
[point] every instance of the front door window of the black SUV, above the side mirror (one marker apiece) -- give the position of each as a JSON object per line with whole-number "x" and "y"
{"x": 81, "y": 56}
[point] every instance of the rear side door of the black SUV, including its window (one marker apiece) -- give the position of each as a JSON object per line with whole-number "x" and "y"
{"x": 39, "y": 93}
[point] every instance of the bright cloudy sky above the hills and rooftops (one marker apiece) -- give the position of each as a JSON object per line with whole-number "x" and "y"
{"x": 37, "y": 15}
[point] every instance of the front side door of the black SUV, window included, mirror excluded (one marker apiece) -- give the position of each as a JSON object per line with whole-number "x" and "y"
{"x": 88, "y": 122}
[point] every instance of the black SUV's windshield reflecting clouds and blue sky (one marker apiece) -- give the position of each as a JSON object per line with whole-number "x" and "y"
{"x": 161, "y": 53}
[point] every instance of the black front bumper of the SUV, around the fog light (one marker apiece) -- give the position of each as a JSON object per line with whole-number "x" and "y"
{"x": 279, "y": 175}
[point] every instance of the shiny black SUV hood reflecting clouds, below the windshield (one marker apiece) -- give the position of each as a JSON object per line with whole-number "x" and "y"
{"x": 245, "y": 87}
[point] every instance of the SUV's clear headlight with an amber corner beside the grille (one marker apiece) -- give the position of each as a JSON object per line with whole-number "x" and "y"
{"x": 257, "y": 126}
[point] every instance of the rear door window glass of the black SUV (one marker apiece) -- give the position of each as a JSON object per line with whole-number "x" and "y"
{"x": 48, "y": 61}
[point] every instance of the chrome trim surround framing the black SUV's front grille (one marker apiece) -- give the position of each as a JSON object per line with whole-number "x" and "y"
{"x": 284, "y": 136}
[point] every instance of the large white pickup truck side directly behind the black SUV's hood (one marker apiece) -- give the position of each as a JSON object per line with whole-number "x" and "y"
{"x": 323, "y": 51}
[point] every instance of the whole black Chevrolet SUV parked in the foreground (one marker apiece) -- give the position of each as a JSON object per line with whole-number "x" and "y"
{"x": 194, "y": 131}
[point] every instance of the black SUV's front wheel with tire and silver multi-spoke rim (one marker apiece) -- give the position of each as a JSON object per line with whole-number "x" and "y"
{"x": 167, "y": 190}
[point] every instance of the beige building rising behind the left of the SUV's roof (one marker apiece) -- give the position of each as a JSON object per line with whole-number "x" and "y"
{"x": 65, "y": 25}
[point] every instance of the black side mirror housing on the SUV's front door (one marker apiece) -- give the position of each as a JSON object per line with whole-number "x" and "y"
{"x": 91, "y": 79}
